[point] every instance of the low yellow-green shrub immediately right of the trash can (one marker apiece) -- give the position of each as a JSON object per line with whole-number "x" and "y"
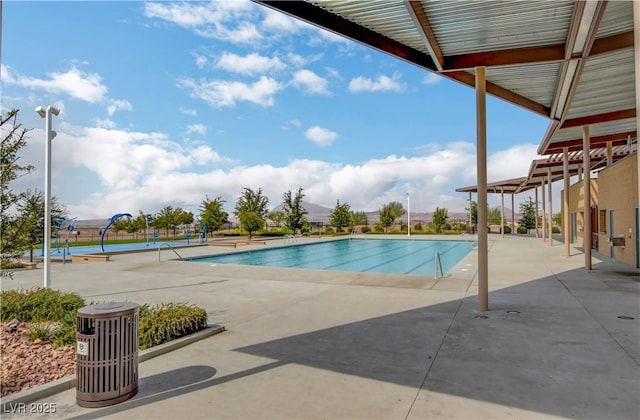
{"x": 162, "y": 323}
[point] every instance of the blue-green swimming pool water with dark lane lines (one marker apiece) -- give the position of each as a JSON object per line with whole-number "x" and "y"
{"x": 414, "y": 257}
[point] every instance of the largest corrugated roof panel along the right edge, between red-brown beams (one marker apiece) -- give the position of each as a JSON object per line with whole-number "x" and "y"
{"x": 607, "y": 84}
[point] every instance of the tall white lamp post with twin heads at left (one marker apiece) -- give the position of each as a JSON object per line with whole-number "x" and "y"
{"x": 48, "y": 137}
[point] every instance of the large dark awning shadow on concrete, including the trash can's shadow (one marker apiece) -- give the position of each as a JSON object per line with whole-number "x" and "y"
{"x": 549, "y": 346}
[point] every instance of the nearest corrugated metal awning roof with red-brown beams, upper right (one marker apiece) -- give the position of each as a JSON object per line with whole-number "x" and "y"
{"x": 558, "y": 59}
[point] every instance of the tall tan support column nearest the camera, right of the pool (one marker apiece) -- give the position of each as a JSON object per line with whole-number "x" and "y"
{"x": 481, "y": 150}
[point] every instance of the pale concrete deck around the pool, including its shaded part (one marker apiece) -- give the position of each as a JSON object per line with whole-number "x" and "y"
{"x": 320, "y": 344}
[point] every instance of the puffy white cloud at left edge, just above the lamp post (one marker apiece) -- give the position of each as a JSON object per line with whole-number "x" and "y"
{"x": 75, "y": 83}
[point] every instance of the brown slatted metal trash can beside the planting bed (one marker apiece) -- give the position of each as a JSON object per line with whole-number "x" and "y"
{"x": 107, "y": 354}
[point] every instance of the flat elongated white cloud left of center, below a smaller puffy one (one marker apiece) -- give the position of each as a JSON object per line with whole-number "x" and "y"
{"x": 221, "y": 93}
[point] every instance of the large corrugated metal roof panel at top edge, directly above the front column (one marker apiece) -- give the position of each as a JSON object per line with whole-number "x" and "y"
{"x": 463, "y": 27}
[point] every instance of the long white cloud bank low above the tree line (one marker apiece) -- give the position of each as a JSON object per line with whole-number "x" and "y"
{"x": 147, "y": 171}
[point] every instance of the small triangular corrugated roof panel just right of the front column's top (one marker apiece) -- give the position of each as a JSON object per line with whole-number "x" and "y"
{"x": 536, "y": 81}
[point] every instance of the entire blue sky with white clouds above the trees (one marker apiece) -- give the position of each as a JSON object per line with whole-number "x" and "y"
{"x": 165, "y": 103}
